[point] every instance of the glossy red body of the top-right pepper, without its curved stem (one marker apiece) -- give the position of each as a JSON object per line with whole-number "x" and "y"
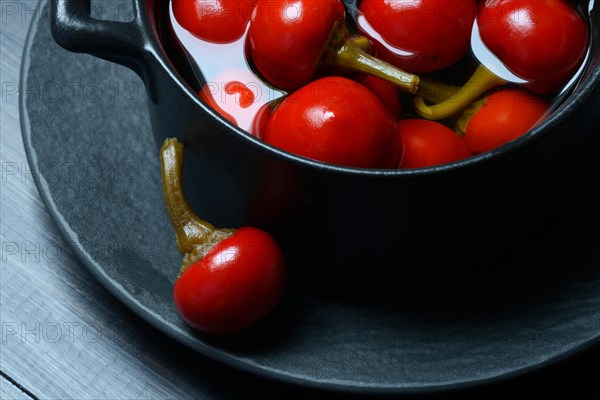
{"x": 541, "y": 41}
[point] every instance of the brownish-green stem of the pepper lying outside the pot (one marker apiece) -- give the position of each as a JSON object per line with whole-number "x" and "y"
{"x": 190, "y": 231}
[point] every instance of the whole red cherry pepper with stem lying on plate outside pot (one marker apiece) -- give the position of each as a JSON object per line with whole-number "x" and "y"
{"x": 229, "y": 279}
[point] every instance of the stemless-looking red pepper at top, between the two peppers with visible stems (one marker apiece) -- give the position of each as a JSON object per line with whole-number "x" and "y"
{"x": 435, "y": 33}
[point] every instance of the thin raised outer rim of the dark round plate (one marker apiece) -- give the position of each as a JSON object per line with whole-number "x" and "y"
{"x": 219, "y": 355}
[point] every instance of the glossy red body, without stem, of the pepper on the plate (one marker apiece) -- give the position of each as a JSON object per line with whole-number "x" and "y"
{"x": 236, "y": 284}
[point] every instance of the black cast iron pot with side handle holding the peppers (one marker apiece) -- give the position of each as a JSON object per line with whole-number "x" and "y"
{"x": 337, "y": 224}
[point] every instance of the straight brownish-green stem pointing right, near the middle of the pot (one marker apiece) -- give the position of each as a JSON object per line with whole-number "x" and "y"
{"x": 350, "y": 55}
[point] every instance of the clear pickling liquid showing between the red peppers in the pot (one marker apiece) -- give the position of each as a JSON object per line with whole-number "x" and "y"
{"x": 215, "y": 65}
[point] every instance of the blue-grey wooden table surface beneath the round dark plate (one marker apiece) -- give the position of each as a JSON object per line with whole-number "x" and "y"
{"x": 64, "y": 336}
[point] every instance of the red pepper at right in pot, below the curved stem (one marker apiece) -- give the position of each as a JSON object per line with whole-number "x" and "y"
{"x": 506, "y": 115}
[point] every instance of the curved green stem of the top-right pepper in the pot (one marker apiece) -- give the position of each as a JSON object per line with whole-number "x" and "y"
{"x": 480, "y": 82}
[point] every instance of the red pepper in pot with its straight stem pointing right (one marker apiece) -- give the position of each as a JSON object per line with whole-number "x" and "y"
{"x": 291, "y": 40}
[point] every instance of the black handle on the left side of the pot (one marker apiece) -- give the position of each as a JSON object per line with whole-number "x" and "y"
{"x": 74, "y": 29}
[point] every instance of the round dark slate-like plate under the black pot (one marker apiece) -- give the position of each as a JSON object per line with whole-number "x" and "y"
{"x": 88, "y": 140}
